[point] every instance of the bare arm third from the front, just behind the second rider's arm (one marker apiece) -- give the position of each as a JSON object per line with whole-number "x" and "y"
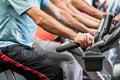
{"x": 66, "y": 6}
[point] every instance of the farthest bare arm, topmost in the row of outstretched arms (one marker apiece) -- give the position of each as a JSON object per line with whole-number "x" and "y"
{"x": 83, "y": 6}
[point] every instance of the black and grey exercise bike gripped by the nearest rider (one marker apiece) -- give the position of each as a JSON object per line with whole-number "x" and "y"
{"x": 94, "y": 60}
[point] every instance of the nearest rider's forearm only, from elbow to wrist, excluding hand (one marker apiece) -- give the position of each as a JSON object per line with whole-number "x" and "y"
{"x": 57, "y": 28}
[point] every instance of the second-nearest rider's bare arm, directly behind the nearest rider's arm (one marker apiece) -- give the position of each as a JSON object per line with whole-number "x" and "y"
{"x": 66, "y": 19}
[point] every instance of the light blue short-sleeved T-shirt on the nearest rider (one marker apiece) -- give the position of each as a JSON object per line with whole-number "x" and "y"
{"x": 15, "y": 26}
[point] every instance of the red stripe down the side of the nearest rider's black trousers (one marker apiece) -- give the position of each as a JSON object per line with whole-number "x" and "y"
{"x": 8, "y": 60}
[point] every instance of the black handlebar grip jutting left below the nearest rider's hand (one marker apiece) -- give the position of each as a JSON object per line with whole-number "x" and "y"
{"x": 72, "y": 45}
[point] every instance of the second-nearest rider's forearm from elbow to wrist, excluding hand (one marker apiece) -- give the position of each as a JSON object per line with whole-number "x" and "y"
{"x": 70, "y": 21}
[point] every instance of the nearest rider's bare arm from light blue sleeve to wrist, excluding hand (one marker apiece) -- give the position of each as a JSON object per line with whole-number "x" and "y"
{"x": 50, "y": 24}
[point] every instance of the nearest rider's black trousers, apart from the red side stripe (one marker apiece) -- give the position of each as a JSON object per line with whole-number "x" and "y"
{"x": 26, "y": 56}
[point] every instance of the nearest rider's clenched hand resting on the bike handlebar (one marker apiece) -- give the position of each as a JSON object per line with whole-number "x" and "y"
{"x": 84, "y": 39}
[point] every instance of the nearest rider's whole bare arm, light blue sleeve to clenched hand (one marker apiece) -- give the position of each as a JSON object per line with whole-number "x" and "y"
{"x": 51, "y": 25}
